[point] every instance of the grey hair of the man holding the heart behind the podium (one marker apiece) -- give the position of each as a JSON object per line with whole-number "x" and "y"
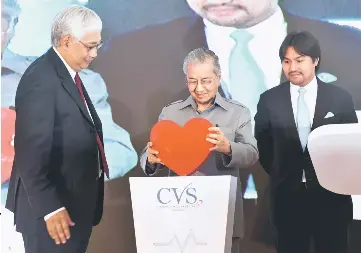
{"x": 200, "y": 55}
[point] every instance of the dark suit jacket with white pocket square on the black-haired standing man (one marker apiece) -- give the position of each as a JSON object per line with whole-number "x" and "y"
{"x": 280, "y": 150}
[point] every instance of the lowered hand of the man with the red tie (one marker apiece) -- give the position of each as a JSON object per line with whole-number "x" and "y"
{"x": 58, "y": 226}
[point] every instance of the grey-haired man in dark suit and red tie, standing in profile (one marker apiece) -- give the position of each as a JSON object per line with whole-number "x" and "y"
{"x": 57, "y": 181}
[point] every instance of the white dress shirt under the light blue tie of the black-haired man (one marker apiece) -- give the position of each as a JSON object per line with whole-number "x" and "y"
{"x": 310, "y": 99}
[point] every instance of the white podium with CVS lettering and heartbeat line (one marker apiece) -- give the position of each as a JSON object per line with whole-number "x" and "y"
{"x": 191, "y": 214}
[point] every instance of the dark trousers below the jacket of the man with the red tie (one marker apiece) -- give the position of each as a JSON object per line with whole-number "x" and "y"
{"x": 41, "y": 242}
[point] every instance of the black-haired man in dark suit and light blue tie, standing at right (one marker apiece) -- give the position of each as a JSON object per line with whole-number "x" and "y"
{"x": 301, "y": 209}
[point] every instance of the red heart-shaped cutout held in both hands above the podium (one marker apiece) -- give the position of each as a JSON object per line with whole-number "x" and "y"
{"x": 182, "y": 149}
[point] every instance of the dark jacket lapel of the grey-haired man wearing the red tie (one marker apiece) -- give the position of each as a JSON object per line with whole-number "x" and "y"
{"x": 68, "y": 83}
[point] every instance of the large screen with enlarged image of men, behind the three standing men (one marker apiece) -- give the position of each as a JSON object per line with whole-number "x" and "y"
{"x": 138, "y": 71}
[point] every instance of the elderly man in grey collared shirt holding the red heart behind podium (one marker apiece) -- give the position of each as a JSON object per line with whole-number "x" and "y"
{"x": 235, "y": 148}
